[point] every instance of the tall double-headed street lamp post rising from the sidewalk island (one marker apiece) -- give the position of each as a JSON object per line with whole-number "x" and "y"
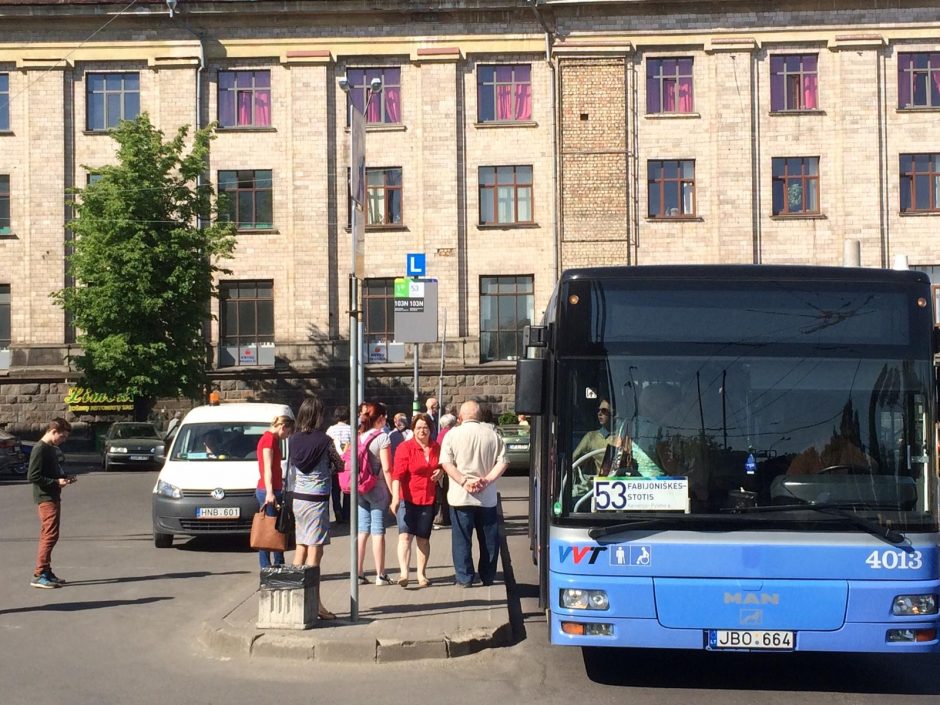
{"x": 357, "y": 189}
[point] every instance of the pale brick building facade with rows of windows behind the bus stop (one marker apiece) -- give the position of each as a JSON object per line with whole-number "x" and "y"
{"x": 521, "y": 138}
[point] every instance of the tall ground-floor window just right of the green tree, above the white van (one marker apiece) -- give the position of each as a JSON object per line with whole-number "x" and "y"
{"x": 246, "y": 323}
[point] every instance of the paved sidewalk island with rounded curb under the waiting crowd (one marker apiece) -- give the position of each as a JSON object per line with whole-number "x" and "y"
{"x": 443, "y": 620}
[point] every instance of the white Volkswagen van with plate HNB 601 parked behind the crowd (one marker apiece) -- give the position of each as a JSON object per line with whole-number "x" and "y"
{"x": 207, "y": 485}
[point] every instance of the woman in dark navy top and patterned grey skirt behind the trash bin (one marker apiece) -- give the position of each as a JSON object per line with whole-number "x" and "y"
{"x": 312, "y": 459}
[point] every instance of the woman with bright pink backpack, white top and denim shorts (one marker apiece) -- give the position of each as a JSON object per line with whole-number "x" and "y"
{"x": 373, "y": 505}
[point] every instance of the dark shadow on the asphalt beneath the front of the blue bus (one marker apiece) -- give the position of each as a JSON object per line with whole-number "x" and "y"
{"x": 802, "y": 672}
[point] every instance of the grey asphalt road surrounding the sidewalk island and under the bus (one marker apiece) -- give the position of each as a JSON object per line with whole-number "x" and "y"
{"x": 124, "y": 631}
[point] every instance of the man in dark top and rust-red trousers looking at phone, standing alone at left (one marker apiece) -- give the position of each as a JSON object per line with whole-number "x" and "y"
{"x": 48, "y": 479}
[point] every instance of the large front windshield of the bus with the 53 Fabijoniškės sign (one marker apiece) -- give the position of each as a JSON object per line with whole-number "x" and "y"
{"x": 670, "y": 412}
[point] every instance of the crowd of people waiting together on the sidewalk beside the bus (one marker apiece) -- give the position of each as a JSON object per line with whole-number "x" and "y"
{"x": 432, "y": 472}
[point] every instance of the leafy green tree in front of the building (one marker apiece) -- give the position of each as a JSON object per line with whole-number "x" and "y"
{"x": 143, "y": 269}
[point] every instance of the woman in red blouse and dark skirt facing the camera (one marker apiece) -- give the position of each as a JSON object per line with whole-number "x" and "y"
{"x": 414, "y": 479}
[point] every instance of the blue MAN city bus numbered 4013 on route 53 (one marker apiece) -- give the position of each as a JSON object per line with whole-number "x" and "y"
{"x": 735, "y": 458}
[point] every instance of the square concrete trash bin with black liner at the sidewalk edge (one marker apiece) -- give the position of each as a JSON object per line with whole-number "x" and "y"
{"x": 288, "y": 597}
